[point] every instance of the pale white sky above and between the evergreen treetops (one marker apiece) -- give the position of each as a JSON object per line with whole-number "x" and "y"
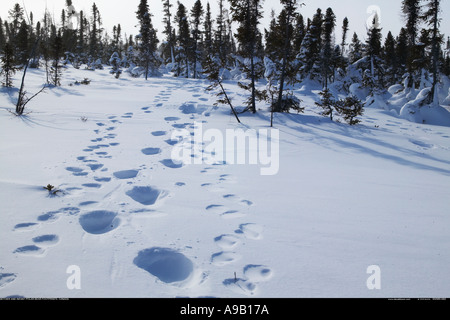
{"x": 114, "y": 12}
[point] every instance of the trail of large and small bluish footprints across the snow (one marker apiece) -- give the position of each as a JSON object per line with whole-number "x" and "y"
{"x": 172, "y": 265}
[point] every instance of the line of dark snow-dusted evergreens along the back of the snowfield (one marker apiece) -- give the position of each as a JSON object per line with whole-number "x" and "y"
{"x": 230, "y": 44}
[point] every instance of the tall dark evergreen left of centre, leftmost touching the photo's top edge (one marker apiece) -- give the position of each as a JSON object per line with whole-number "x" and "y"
{"x": 147, "y": 40}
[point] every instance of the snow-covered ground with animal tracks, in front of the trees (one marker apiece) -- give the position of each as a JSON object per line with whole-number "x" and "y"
{"x": 129, "y": 222}
